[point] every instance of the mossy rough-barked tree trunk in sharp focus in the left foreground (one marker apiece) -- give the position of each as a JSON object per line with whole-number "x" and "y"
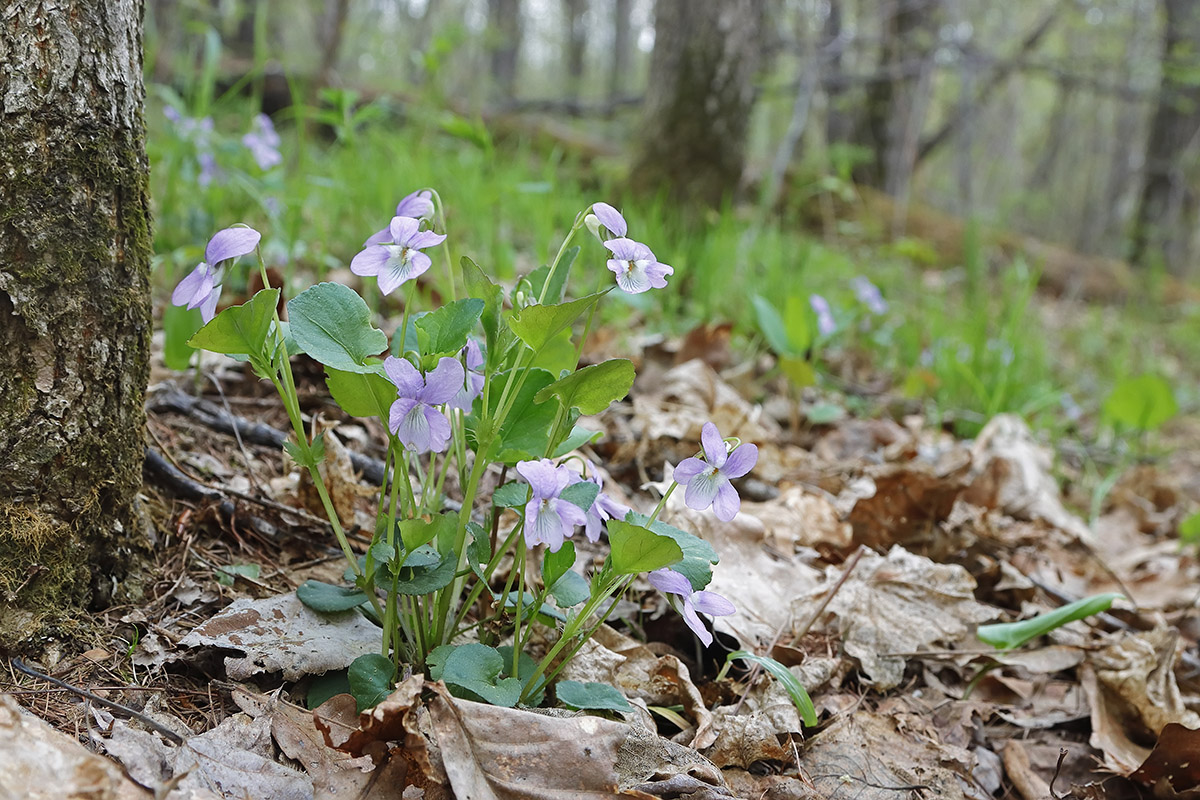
{"x": 75, "y": 312}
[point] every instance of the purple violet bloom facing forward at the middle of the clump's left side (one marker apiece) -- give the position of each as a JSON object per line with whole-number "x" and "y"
{"x": 417, "y": 424}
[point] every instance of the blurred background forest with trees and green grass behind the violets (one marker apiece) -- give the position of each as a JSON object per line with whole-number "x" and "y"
{"x": 957, "y": 154}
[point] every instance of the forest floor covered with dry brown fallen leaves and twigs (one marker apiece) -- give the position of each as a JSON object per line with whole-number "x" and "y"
{"x": 866, "y": 555}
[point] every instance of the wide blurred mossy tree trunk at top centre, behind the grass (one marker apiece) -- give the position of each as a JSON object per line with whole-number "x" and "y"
{"x": 700, "y": 98}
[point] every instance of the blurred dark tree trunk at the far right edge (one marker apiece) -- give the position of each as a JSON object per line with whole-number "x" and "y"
{"x": 1167, "y": 215}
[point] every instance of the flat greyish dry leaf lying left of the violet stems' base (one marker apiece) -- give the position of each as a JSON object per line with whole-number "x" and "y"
{"x": 283, "y": 635}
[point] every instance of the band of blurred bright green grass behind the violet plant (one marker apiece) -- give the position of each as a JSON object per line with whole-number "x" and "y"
{"x": 967, "y": 344}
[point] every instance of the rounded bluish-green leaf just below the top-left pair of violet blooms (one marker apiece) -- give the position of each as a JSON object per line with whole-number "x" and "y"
{"x": 333, "y": 324}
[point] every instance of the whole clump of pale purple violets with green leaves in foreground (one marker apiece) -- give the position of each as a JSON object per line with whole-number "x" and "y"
{"x": 473, "y": 389}
